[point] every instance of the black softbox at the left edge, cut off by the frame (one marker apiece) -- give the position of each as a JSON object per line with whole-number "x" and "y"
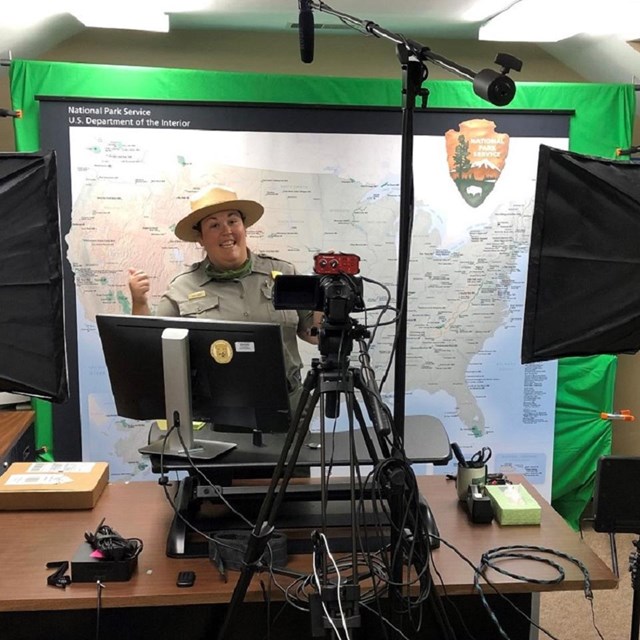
{"x": 32, "y": 341}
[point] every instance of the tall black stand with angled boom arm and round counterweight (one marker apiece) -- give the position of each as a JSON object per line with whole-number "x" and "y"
{"x": 495, "y": 87}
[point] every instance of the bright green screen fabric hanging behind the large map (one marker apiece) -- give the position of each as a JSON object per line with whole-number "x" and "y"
{"x": 602, "y": 122}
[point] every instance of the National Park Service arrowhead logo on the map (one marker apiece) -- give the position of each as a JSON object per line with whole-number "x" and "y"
{"x": 476, "y": 155}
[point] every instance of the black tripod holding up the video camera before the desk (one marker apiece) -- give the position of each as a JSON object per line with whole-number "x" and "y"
{"x": 328, "y": 377}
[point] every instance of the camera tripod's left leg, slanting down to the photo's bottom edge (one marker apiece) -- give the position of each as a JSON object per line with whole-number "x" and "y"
{"x": 263, "y": 528}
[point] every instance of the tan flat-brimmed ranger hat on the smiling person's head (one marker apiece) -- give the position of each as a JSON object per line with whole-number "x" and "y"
{"x": 211, "y": 200}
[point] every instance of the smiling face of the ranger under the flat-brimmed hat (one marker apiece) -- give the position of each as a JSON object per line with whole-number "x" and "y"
{"x": 224, "y": 238}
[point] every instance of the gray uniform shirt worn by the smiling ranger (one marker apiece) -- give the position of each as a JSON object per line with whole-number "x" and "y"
{"x": 194, "y": 294}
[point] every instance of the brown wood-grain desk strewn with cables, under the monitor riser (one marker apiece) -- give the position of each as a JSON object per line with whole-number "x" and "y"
{"x": 28, "y": 540}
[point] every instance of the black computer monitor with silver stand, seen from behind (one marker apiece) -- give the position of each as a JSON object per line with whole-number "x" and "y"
{"x": 229, "y": 374}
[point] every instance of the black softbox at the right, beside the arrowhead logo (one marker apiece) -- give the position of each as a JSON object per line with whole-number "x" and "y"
{"x": 583, "y": 283}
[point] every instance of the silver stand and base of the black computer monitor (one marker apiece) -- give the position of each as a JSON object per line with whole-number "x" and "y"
{"x": 179, "y": 440}
